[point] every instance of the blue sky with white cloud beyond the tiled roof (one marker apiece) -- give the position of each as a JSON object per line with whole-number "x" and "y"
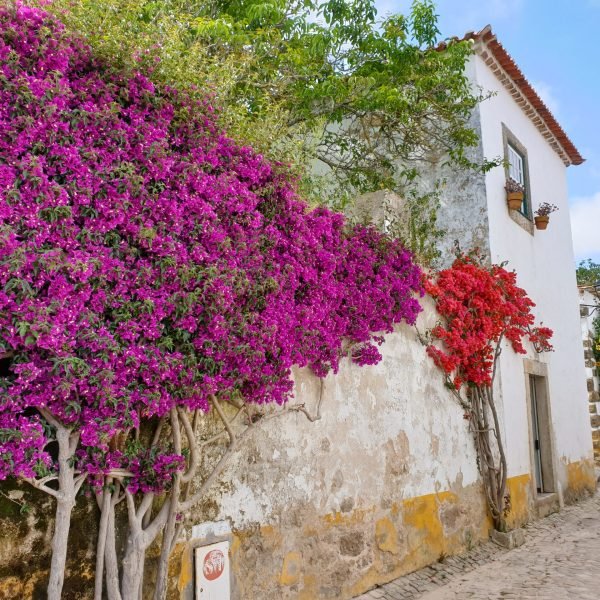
{"x": 556, "y": 44}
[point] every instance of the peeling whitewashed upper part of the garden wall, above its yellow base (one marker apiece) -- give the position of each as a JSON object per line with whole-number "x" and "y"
{"x": 369, "y": 414}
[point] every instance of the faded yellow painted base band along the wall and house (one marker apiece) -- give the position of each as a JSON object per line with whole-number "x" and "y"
{"x": 342, "y": 555}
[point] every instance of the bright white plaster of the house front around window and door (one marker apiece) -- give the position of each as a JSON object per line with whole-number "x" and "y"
{"x": 545, "y": 263}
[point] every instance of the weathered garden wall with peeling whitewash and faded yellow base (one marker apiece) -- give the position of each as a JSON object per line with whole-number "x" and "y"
{"x": 384, "y": 483}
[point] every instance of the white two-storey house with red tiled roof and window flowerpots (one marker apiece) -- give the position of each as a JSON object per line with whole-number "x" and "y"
{"x": 546, "y": 415}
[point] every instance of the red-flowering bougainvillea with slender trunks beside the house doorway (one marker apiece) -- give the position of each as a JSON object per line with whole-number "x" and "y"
{"x": 481, "y": 307}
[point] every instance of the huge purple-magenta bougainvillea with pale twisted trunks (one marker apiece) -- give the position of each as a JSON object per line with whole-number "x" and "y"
{"x": 151, "y": 268}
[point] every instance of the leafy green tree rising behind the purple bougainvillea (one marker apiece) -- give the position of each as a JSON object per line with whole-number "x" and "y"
{"x": 351, "y": 102}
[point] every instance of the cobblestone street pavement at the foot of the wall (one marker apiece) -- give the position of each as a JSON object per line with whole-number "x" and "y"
{"x": 560, "y": 560}
